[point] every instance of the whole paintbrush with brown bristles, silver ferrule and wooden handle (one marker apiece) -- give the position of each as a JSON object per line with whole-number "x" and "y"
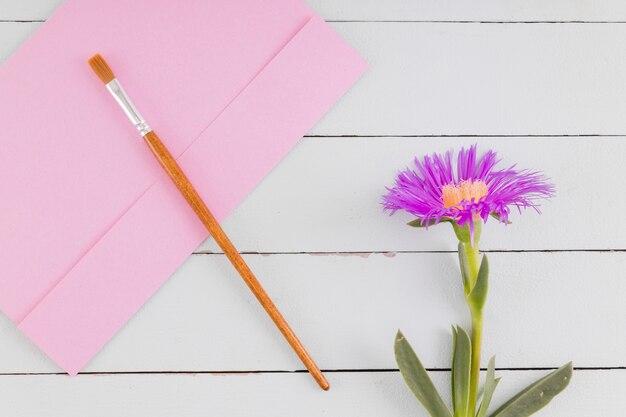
{"x": 163, "y": 156}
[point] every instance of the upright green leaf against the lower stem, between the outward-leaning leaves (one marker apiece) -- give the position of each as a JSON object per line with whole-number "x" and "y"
{"x": 461, "y": 361}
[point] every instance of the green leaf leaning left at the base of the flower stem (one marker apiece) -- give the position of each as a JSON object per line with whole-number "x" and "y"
{"x": 417, "y": 378}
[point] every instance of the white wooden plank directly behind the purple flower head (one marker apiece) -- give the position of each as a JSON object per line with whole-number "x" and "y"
{"x": 325, "y": 196}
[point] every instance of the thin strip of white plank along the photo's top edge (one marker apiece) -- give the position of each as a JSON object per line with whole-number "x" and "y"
{"x": 406, "y": 10}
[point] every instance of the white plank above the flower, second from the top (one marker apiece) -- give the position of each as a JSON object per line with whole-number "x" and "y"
{"x": 473, "y": 79}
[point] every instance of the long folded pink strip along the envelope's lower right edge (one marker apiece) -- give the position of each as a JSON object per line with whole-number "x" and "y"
{"x": 105, "y": 296}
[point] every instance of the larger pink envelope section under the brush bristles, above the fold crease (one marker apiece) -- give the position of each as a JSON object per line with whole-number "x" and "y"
{"x": 73, "y": 163}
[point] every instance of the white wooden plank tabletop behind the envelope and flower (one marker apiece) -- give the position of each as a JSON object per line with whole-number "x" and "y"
{"x": 544, "y": 83}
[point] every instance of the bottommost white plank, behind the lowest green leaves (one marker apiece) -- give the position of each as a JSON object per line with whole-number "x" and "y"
{"x": 591, "y": 393}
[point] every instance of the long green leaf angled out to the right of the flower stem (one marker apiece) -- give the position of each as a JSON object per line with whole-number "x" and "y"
{"x": 537, "y": 395}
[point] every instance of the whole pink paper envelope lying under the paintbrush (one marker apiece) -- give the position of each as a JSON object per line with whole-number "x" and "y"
{"x": 91, "y": 227}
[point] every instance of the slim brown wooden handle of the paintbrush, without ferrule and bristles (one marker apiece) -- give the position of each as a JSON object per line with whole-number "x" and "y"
{"x": 193, "y": 198}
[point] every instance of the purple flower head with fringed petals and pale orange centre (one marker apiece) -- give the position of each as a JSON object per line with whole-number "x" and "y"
{"x": 435, "y": 192}
